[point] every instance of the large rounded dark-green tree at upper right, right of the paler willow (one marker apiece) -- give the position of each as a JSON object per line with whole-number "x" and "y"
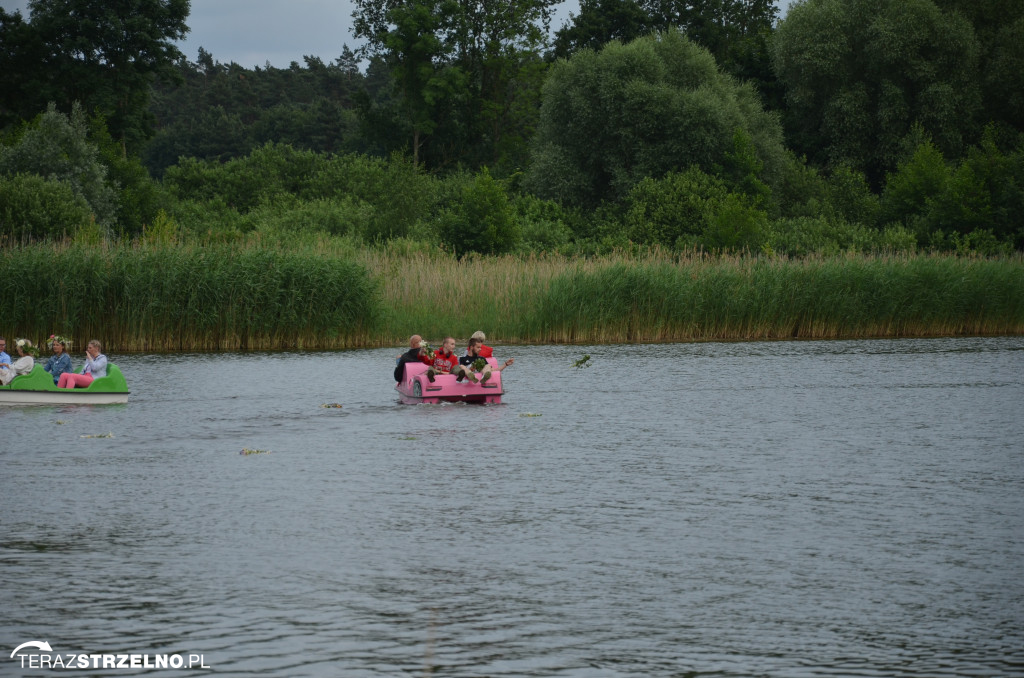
{"x": 861, "y": 74}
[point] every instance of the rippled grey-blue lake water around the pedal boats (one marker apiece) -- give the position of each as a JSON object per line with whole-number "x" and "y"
{"x": 843, "y": 508}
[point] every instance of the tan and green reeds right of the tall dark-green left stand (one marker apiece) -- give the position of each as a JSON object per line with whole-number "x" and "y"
{"x": 659, "y": 298}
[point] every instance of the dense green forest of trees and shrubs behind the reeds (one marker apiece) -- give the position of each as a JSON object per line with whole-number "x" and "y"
{"x": 710, "y": 125}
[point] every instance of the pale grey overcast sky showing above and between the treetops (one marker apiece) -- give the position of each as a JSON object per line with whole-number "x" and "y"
{"x": 257, "y": 32}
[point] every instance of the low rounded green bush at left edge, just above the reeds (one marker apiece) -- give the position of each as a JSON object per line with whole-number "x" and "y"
{"x": 33, "y": 208}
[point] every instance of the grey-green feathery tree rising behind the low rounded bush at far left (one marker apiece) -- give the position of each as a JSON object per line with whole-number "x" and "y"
{"x": 57, "y": 147}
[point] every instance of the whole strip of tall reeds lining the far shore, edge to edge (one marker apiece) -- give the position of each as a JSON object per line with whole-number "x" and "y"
{"x": 329, "y": 294}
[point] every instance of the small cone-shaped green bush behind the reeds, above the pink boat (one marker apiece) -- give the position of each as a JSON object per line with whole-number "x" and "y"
{"x": 484, "y": 221}
